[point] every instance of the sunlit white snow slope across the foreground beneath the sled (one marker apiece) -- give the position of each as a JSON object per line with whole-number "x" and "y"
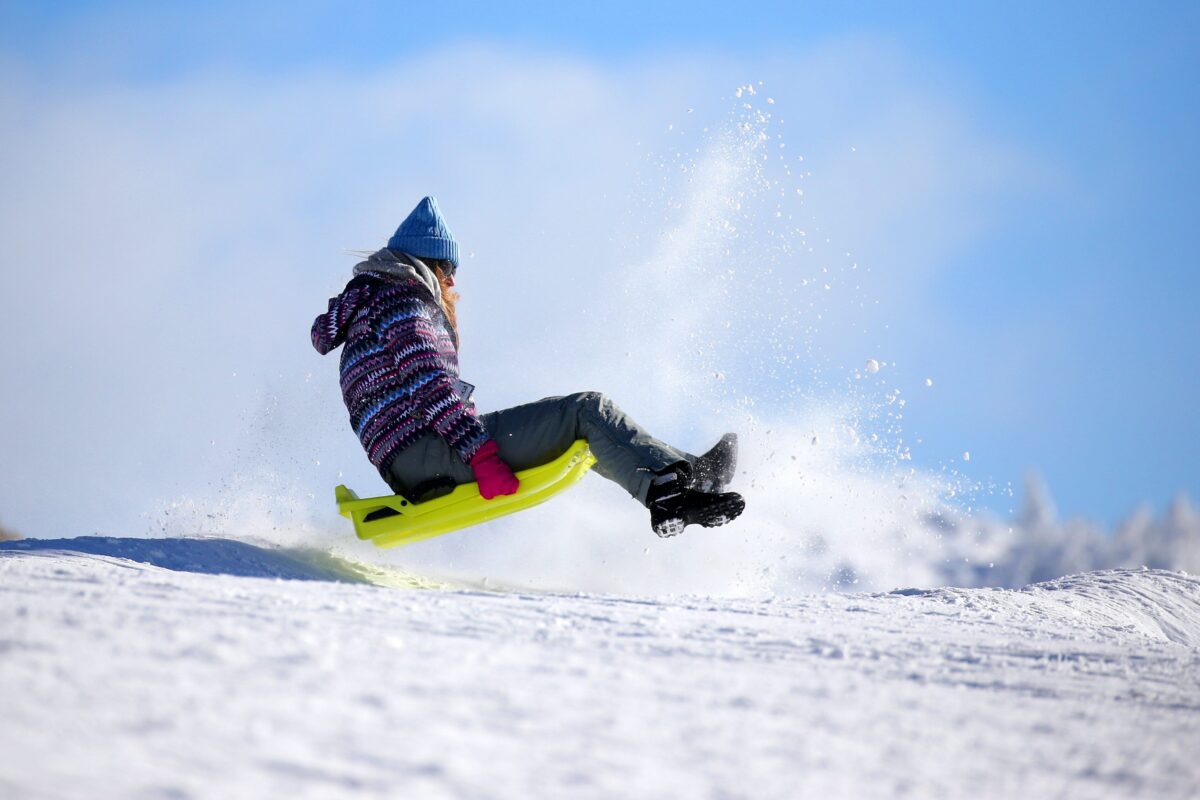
{"x": 124, "y": 679}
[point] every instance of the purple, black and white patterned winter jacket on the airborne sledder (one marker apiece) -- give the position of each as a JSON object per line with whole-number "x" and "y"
{"x": 400, "y": 365}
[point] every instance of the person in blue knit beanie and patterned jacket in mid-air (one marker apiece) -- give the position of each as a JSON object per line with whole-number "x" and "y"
{"x": 415, "y": 417}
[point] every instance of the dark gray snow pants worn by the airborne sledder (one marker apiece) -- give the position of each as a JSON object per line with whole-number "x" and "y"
{"x": 537, "y": 434}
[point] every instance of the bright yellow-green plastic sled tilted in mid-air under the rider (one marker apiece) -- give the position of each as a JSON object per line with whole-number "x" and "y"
{"x": 394, "y": 520}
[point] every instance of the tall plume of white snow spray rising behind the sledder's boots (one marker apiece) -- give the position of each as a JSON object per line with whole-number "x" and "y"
{"x": 717, "y": 320}
